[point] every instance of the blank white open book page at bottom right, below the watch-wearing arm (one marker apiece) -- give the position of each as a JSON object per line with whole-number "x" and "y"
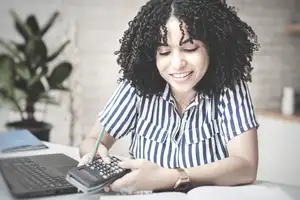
{"x": 246, "y": 192}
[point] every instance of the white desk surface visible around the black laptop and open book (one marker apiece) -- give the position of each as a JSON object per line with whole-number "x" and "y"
{"x": 293, "y": 192}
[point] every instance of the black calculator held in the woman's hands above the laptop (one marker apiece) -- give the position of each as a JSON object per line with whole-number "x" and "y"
{"x": 94, "y": 176}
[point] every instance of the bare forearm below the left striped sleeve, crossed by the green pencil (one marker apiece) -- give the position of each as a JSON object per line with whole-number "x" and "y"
{"x": 87, "y": 145}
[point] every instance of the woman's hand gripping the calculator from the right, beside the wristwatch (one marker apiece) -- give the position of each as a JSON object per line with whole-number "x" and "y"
{"x": 145, "y": 175}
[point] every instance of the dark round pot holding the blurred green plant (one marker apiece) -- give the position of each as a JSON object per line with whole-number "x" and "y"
{"x": 40, "y": 129}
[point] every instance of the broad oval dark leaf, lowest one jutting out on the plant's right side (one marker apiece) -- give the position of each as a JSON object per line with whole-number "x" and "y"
{"x": 60, "y": 73}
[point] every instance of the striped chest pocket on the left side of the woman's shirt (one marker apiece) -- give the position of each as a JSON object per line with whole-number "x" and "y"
{"x": 150, "y": 131}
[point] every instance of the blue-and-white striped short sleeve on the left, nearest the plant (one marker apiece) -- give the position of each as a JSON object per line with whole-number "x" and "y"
{"x": 119, "y": 114}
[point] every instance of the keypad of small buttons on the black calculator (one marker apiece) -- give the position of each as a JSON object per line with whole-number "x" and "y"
{"x": 106, "y": 170}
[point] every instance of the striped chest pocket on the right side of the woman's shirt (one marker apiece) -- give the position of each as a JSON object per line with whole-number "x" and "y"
{"x": 201, "y": 132}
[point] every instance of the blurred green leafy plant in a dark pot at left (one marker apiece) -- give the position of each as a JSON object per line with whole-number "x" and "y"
{"x": 28, "y": 75}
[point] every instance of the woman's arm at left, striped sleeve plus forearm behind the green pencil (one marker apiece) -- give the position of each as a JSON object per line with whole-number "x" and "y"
{"x": 118, "y": 117}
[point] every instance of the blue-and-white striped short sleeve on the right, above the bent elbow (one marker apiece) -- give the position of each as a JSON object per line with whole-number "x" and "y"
{"x": 236, "y": 111}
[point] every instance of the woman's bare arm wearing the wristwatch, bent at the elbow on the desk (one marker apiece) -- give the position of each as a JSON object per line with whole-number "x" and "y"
{"x": 239, "y": 168}
